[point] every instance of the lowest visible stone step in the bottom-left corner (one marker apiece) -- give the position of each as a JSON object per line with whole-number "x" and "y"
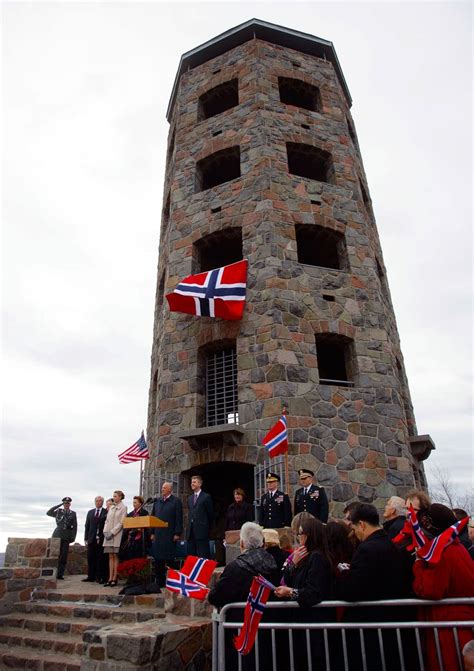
{"x": 16, "y": 657}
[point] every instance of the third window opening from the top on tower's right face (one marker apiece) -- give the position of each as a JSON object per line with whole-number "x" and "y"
{"x": 319, "y": 246}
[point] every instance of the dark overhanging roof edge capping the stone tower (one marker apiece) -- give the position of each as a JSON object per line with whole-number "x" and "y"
{"x": 270, "y": 32}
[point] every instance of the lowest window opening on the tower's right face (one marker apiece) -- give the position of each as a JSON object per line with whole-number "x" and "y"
{"x": 335, "y": 359}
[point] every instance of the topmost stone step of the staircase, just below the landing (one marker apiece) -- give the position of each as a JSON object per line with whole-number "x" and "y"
{"x": 103, "y": 595}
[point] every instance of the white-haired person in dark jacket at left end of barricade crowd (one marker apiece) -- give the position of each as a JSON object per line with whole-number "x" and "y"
{"x": 234, "y": 583}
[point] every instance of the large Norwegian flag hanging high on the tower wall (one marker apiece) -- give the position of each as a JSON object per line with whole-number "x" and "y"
{"x": 216, "y": 293}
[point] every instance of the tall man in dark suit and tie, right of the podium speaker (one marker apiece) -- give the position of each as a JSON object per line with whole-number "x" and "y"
{"x": 201, "y": 517}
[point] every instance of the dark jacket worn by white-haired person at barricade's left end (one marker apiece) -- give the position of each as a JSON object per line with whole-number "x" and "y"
{"x": 236, "y": 579}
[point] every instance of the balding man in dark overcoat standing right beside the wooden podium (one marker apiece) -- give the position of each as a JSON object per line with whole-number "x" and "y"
{"x": 169, "y": 509}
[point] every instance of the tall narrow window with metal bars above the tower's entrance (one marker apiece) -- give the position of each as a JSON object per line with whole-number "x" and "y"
{"x": 221, "y": 387}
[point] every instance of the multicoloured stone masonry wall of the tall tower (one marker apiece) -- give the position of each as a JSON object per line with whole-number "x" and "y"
{"x": 355, "y": 439}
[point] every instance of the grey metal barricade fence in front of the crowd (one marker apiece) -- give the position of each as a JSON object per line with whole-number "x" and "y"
{"x": 279, "y": 652}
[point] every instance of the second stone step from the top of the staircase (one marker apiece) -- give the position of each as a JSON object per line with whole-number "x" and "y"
{"x": 100, "y": 612}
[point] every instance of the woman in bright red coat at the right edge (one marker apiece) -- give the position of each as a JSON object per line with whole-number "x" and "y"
{"x": 452, "y": 576}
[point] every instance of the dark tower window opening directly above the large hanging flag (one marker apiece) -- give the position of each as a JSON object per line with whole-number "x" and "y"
{"x": 218, "y": 249}
